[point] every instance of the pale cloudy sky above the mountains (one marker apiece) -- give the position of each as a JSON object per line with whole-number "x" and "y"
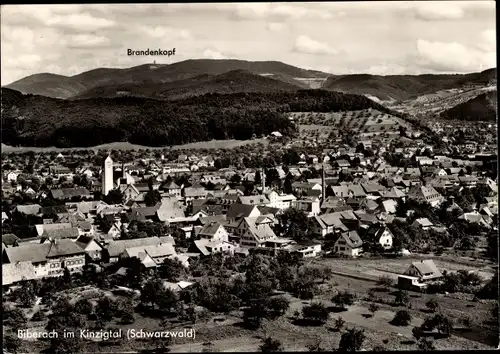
{"x": 382, "y": 38}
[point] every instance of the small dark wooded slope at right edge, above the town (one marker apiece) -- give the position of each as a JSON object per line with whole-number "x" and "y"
{"x": 480, "y": 108}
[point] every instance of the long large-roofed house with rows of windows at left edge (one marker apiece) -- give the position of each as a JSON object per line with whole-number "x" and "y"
{"x": 49, "y": 258}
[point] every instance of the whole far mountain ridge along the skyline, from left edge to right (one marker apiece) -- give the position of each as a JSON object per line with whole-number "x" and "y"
{"x": 389, "y": 87}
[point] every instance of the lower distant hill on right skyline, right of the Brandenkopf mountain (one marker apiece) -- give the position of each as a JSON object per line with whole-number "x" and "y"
{"x": 404, "y": 87}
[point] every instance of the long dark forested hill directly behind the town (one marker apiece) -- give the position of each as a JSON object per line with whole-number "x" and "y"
{"x": 30, "y": 120}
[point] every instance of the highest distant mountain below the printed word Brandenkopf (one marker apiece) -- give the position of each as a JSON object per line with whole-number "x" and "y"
{"x": 58, "y": 86}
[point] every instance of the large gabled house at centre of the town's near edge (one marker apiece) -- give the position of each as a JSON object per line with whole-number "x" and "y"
{"x": 255, "y": 231}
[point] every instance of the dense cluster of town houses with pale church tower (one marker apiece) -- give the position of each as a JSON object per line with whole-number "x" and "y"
{"x": 222, "y": 218}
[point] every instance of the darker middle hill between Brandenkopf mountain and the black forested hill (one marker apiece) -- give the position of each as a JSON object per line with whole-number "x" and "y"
{"x": 226, "y": 83}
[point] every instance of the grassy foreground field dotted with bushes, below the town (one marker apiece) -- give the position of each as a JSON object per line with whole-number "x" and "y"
{"x": 358, "y": 277}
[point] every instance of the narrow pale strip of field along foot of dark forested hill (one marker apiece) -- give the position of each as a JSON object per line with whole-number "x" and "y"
{"x": 213, "y": 144}
